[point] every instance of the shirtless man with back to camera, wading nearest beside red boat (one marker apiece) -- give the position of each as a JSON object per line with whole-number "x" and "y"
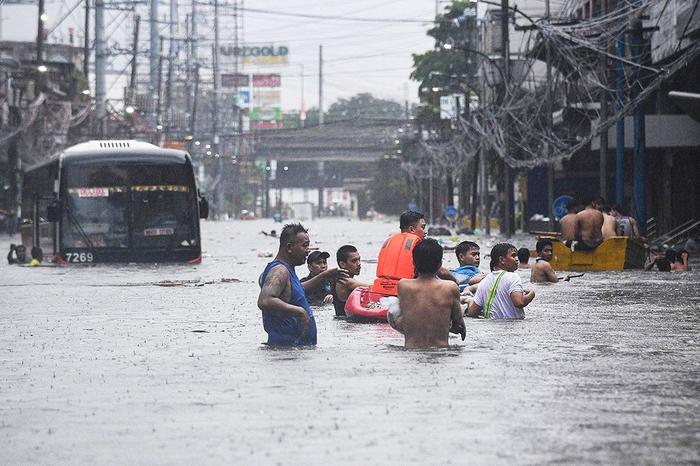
{"x": 430, "y": 307}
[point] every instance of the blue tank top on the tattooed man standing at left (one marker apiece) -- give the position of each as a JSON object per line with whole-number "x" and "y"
{"x": 283, "y": 328}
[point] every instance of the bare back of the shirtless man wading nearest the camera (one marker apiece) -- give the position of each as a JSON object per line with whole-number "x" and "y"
{"x": 429, "y": 306}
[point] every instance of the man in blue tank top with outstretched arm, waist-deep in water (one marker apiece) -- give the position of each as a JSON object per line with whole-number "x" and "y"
{"x": 287, "y": 316}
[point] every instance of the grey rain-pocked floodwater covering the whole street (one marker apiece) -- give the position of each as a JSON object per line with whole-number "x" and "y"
{"x": 106, "y": 364}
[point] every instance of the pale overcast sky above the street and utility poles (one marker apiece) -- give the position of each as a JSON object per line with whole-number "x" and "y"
{"x": 359, "y": 56}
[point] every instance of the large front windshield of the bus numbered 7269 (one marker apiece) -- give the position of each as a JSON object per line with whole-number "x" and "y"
{"x": 129, "y": 205}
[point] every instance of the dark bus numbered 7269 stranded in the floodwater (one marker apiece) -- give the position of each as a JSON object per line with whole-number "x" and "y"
{"x": 114, "y": 201}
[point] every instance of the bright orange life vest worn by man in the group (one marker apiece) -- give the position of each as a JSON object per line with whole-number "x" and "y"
{"x": 395, "y": 262}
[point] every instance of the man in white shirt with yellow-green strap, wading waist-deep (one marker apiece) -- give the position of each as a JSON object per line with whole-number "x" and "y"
{"x": 501, "y": 294}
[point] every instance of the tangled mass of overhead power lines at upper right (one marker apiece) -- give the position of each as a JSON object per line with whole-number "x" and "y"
{"x": 515, "y": 125}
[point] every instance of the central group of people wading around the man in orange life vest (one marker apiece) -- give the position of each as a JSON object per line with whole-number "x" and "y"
{"x": 432, "y": 300}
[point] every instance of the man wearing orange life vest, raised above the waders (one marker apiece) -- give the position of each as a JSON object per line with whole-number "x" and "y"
{"x": 396, "y": 255}
